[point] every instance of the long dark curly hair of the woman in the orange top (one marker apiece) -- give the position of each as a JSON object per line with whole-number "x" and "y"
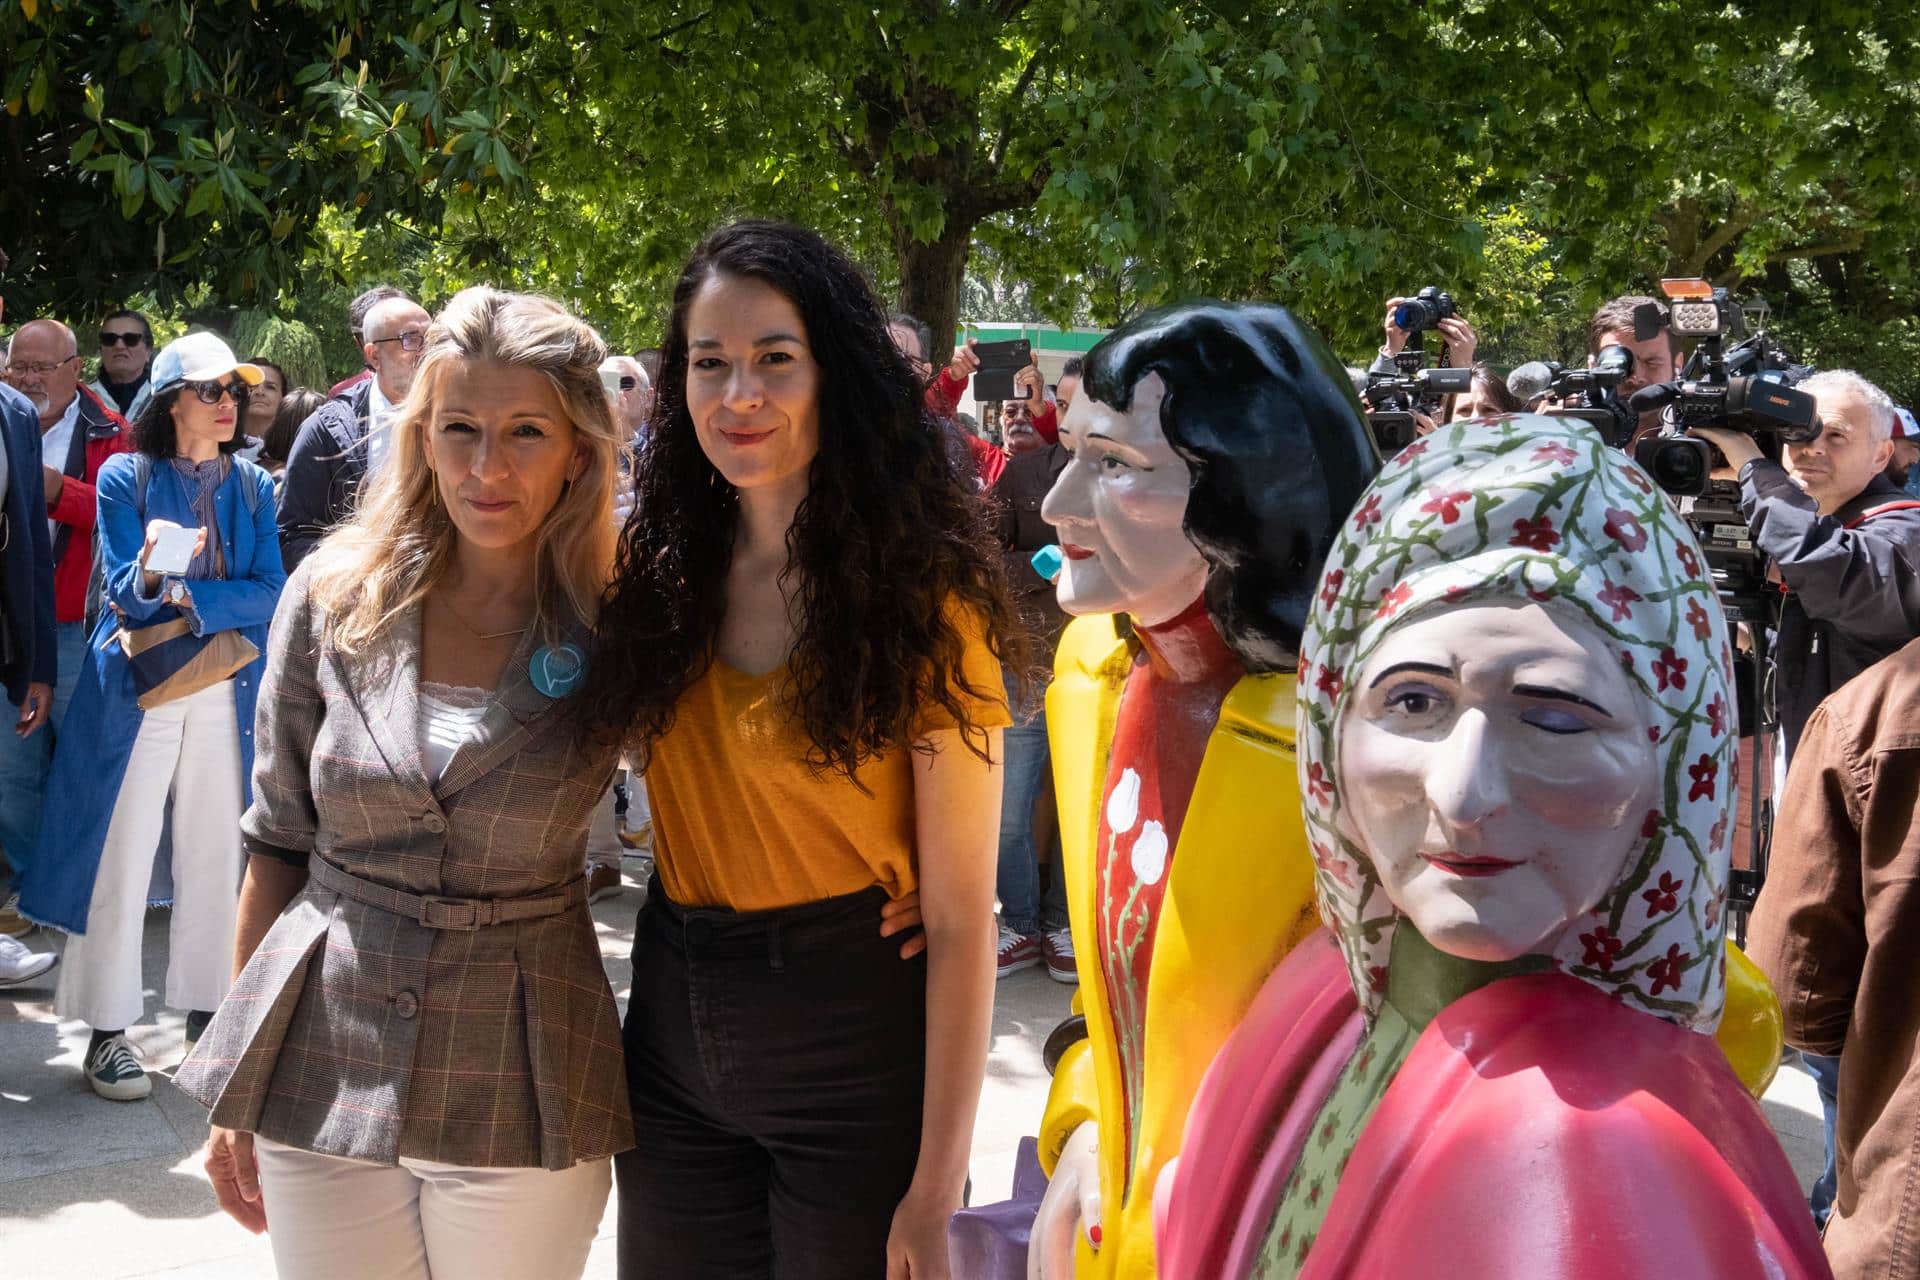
{"x": 890, "y": 552}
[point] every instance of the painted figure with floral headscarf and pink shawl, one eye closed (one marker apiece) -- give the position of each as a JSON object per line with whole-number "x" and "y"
{"x": 1516, "y": 732}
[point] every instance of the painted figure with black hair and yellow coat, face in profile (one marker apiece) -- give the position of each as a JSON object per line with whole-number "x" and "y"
{"x": 1216, "y": 450}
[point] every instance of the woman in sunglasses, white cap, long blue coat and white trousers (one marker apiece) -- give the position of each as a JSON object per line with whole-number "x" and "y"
{"x": 139, "y": 736}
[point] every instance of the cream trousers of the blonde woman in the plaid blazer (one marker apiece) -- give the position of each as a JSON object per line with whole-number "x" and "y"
{"x": 331, "y": 1218}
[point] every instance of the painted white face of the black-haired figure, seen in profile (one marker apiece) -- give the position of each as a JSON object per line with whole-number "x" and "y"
{"x": 1118, "y": 511}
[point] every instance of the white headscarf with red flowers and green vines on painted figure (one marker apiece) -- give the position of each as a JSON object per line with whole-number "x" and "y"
{"x": 1543, "y": 510}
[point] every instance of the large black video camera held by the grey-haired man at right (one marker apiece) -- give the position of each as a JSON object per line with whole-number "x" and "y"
{"x": 1742, "y": 389}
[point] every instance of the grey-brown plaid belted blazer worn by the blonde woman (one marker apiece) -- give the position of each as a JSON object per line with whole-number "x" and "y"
{"x": 364, "y": 1033}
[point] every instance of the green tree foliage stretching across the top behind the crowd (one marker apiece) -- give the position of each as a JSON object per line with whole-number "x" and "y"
{"x": 1093, "y": 156}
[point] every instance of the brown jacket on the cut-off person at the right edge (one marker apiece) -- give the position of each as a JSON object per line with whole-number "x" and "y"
{"x": 1838, "y": 932}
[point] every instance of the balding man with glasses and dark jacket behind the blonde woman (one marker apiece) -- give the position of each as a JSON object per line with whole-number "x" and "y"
{"x": 347, "y": 440}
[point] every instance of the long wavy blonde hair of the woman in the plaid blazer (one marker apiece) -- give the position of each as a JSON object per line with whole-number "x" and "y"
{"x": 400, "y": 542}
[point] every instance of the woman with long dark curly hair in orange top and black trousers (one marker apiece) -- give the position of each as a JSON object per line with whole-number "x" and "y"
{"x": 804, "y": 648}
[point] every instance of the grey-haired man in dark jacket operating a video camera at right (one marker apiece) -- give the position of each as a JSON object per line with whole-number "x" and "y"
{"x": 1842, "y": 538}
